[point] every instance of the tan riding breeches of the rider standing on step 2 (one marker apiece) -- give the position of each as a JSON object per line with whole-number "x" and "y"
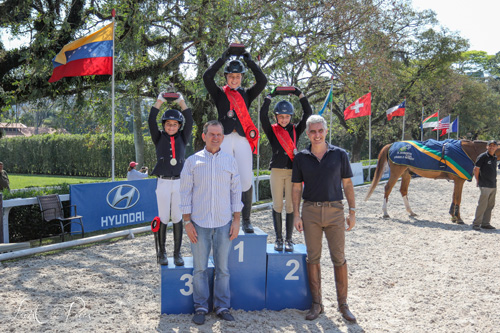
{"x": 281, "y": 181}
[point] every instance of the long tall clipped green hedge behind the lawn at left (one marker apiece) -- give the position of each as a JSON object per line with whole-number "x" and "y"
{"x": 72, "y": 155}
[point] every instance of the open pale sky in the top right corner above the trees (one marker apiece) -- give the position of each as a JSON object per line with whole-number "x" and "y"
{"x": 475, "y": 20}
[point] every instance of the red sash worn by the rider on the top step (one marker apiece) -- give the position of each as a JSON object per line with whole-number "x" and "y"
{"x": 237, "y": 103}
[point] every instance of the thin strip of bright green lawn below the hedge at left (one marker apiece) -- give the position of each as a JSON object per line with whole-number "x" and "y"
{"x": 19, "y": 181}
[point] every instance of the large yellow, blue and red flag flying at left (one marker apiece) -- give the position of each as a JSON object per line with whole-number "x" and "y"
{"x": 90, "y": 55}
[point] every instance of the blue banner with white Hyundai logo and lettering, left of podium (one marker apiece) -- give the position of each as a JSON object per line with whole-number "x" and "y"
{"x": 115, "y": 204}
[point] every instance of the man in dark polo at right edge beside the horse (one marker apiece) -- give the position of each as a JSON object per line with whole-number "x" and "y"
{"x": 485, "y": 173}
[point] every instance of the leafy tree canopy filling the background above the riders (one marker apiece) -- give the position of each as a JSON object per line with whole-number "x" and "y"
{"x": 353, "y": 45}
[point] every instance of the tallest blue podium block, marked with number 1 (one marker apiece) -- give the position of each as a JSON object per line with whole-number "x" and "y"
{"x": 247, "y": 266}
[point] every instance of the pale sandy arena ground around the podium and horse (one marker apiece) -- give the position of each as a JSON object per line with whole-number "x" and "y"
{"x": 421, "y": 274}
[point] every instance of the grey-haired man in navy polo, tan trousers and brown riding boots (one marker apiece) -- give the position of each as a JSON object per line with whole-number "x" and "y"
{"x": 324, "y": 169}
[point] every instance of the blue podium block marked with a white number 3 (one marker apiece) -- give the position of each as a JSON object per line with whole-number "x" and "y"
{"x": 177, "y": 286}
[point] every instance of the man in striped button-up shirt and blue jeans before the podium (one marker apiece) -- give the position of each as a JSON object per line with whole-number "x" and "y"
{"x": 211, "y": 205}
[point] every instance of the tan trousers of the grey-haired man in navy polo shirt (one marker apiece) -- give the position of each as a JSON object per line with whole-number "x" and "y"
{"x": 330, "y": 220}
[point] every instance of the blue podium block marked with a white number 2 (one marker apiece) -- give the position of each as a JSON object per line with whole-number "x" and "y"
{"x": 287, "y": 282}
